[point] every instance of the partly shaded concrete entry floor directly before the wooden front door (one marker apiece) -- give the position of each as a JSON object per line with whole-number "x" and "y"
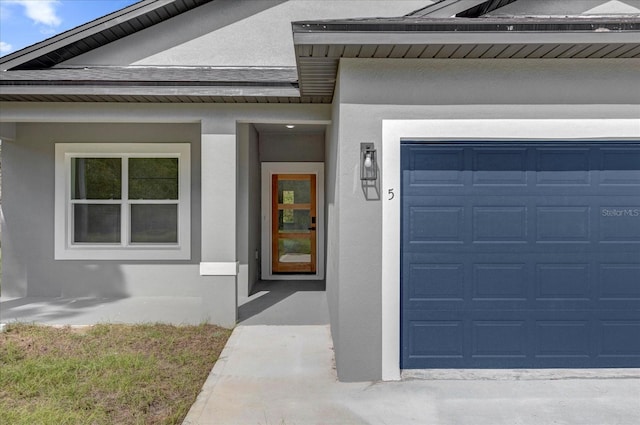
{"x": 285, "y": 302}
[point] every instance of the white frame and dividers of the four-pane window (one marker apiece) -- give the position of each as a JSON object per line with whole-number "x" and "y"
{"x": 65, "y": 249}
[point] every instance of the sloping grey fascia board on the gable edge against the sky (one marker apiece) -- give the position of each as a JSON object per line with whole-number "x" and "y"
{"x": 51, "y": 44}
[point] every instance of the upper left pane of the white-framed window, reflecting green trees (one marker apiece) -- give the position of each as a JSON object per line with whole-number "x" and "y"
{"x": 96, "y": 178}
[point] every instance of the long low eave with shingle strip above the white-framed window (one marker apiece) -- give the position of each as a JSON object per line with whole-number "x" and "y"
{"x": 155, "y": 84}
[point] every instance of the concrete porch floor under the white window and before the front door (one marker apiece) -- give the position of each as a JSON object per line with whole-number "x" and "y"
{"x": 271, "y": 303}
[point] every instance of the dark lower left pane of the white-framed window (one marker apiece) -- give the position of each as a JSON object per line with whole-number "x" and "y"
{"x": 96, "y": 223}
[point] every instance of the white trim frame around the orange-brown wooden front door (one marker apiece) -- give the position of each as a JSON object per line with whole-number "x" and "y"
{"x": 268, "y": 169}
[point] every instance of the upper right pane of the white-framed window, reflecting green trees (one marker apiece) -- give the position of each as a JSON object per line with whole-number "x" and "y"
{"x": 153, "y": 178}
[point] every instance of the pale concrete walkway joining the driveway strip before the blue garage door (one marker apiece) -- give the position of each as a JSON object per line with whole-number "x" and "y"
{"x": 285, "y": 375}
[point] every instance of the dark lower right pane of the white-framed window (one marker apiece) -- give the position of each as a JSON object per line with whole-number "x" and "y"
{"x": 154, "y": 223}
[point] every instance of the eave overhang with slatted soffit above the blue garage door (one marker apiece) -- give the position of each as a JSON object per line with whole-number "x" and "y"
{"x": 319, "y": 45}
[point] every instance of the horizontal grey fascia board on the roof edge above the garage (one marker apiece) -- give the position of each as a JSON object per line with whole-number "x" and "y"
{"x": 467, "y": 37}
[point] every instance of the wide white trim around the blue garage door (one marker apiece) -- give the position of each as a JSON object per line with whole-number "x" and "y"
{"x": 394, "y": 131}
